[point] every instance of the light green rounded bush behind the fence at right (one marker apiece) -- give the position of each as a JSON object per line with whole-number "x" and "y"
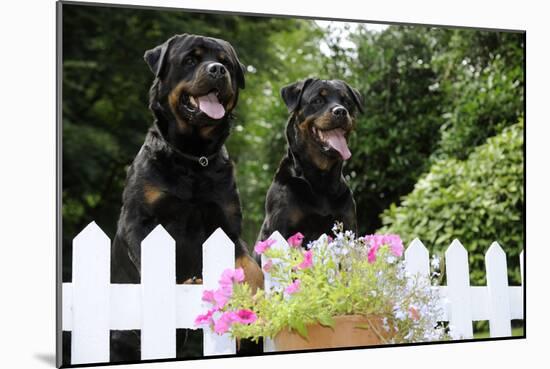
{"x": 477, "y": 200}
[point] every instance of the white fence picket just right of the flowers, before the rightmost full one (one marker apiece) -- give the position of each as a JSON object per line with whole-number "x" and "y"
{"x": 458, "y": 291}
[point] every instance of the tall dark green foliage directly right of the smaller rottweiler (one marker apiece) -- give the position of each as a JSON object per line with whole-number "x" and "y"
{"x": 399, "y": 130}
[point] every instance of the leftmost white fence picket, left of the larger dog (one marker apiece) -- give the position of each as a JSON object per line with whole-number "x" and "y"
{"x": 91, "y": 278}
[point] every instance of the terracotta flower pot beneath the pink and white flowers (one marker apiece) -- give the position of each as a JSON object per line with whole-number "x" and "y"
{"x": 345, "y": 333}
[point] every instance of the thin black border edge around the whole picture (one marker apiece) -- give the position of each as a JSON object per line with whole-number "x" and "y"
{"x": 59, "y": 176}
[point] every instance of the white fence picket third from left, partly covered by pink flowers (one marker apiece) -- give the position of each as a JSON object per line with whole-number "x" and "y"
{"x": 218, "y": 254}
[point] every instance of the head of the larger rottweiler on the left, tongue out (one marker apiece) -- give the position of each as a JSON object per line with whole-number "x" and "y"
{"x": 197, "y": 79}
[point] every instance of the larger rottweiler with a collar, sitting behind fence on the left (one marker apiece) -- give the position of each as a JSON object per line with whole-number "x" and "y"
{"x": 182, "y": 177}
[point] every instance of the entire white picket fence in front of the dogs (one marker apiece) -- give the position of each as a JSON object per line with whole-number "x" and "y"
{"x": 92, "y": 306}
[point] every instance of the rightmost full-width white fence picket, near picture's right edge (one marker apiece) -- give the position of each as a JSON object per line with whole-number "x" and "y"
{"x": 497, "y": 286}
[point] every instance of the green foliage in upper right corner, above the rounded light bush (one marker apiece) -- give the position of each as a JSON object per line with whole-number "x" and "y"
{"x": 481, "y": 77}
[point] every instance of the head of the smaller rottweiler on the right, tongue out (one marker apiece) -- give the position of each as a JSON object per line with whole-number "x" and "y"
{"x": 322, "y": 116}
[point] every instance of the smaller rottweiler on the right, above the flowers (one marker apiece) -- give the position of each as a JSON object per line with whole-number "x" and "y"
{"x": 309, "y": 193}
